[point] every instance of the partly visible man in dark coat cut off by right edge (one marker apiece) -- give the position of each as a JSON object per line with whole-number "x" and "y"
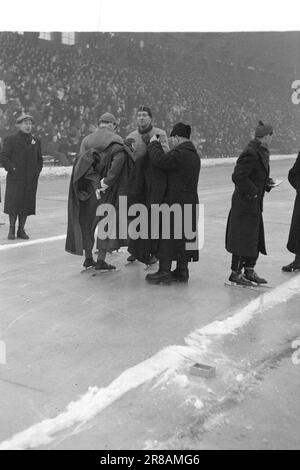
{"x": 294, "y": 237}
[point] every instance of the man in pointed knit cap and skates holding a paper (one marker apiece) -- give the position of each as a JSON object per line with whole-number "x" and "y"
{"x": 245, "y": 237}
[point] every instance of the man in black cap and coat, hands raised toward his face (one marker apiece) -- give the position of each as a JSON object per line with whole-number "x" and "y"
{"x": 181, "y": 167}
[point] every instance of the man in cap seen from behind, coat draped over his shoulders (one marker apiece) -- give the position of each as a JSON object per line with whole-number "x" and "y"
{"x": 104, "y": 166}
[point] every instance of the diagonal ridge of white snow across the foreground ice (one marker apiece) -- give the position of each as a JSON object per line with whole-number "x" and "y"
{"x": 168, "y": 360}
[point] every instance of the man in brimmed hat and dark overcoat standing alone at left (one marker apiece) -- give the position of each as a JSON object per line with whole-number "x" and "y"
{"x": 22, "y": 158}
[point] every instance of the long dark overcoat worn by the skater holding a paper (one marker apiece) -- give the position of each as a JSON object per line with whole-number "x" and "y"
{"x": 245, "y": 234}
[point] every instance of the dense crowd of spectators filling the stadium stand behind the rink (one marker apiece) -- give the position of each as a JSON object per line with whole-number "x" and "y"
{"x": 66, "y": 88}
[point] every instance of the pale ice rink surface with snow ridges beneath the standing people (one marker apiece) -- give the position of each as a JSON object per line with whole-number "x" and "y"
{"x": 103, "y": 362}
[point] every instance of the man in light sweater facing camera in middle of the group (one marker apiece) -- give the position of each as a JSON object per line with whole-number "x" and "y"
{"x": 138, "y": 139}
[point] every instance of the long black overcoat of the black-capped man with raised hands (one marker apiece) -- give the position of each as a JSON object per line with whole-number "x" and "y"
{"x": 175, "y": 176}
